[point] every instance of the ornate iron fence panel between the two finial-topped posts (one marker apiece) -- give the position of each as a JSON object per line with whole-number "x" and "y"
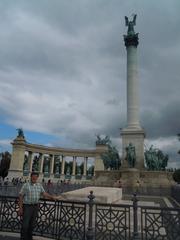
{"x": 112, "y": 222}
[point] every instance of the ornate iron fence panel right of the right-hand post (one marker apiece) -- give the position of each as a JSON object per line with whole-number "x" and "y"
{"x": 160, "y": 223}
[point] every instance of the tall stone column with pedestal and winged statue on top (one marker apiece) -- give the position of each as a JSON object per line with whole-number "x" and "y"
{"x": 133, "y": 133}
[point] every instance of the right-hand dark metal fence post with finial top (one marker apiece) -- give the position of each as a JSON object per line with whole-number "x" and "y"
{"x": 135, "y": 217}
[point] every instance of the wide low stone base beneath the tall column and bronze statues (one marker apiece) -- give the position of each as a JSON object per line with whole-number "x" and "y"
{"x": 135, "y": 180}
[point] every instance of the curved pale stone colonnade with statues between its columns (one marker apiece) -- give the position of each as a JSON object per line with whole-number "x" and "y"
{"x": 50, "y": 161}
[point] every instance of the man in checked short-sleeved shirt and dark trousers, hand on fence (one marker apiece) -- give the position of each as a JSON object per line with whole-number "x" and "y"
{"x": 29, "y": 196}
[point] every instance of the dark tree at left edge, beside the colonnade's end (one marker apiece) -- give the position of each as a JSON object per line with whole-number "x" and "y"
{"x": 5, "y": 164}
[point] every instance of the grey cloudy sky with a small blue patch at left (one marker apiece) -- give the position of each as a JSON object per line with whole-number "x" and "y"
{"x": 63, "y": 71}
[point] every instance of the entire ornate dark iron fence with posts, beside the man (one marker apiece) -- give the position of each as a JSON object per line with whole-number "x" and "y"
{"x": 90, "y": 220}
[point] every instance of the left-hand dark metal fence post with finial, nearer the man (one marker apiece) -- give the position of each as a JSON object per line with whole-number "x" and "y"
{"x": 90, "y": 232}
